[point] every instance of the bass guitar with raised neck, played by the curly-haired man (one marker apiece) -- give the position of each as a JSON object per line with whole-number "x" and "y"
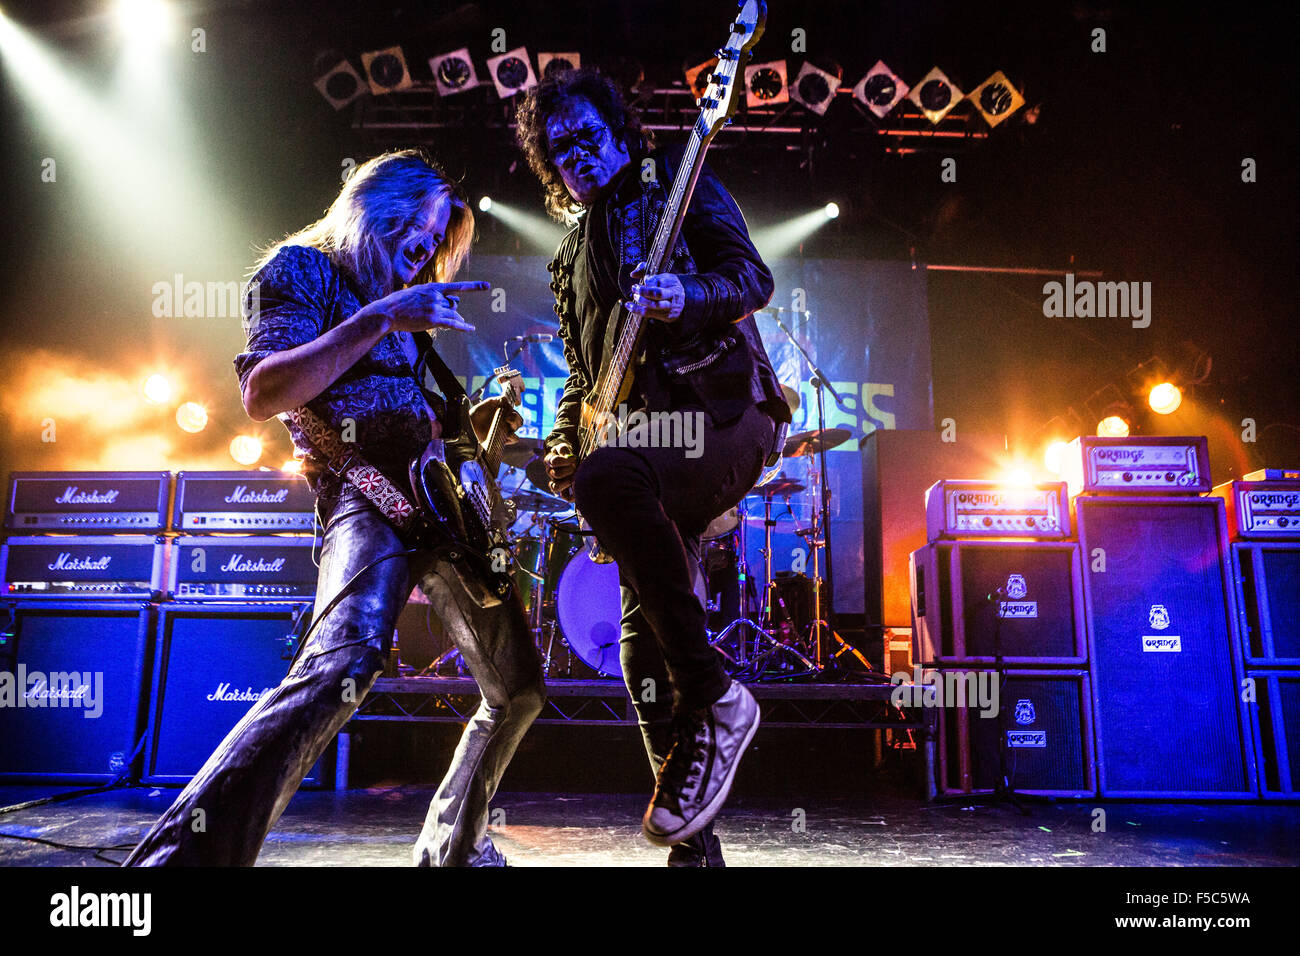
{"x": 718, "y": 105}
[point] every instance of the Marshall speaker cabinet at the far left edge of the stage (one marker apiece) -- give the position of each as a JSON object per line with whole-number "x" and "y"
{"x": 72, "y": 689}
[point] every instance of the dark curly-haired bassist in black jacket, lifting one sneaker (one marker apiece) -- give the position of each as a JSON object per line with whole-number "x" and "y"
{"x": 704, "y": 377}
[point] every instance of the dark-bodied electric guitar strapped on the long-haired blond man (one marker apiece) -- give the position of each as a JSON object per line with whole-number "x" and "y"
{"x": 454, "y": 481}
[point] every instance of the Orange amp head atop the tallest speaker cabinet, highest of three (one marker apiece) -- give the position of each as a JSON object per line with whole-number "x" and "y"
{"x": 1154, "y": 465}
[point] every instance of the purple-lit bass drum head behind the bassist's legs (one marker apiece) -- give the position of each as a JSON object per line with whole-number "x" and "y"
{"x": 591, "y": 611}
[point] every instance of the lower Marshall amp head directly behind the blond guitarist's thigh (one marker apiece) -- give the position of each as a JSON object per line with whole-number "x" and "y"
{"x": 242, "y": 569}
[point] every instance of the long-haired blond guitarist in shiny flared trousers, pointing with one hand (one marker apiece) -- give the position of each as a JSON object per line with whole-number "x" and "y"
{"x": 331, "y": 327}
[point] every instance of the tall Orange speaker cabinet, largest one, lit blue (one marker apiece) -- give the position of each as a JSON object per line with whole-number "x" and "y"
{"x": 1164, "y": 652}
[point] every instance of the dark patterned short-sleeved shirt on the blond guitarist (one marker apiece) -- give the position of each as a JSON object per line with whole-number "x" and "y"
{"x": 300, "y": 296}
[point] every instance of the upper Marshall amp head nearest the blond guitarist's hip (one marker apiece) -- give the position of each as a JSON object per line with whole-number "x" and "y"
{"x": 248, "y": 501}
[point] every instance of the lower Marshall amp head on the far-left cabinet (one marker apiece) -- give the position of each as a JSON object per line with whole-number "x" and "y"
{"x": 99, "y": 568}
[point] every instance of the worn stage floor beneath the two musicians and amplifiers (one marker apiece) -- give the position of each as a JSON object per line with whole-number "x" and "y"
{"x": 378, "y": 828}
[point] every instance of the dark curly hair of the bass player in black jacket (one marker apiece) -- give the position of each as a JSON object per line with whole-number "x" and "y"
{"x": 540, "y": 103}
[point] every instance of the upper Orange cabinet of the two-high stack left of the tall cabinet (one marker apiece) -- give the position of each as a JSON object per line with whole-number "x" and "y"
{"x": 978, "y": 600}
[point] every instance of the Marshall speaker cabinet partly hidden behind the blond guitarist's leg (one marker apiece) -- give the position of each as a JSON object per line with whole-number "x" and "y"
{"x": 214, "y": 663}
